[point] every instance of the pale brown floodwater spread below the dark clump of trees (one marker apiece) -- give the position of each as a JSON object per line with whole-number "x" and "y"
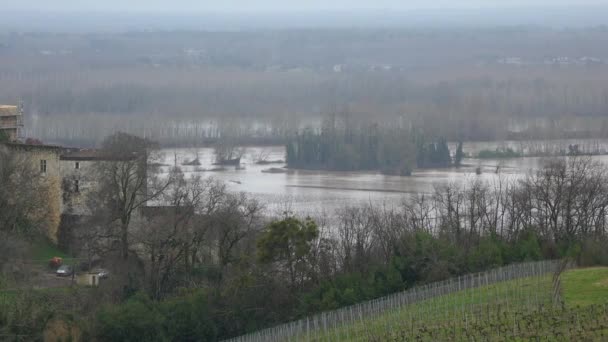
{"x": 311, "y": 192}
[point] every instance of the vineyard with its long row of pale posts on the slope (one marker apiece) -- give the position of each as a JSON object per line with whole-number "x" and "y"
{"x": 518, "y": 302}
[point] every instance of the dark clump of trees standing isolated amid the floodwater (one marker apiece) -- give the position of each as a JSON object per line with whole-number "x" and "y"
{"x": 347, "y": 146}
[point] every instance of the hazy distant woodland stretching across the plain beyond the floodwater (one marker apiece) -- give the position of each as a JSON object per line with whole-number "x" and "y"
{"x": 181, "y": 87}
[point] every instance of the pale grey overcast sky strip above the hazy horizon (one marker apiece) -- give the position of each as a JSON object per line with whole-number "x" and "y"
{"x": 275, "y": 5}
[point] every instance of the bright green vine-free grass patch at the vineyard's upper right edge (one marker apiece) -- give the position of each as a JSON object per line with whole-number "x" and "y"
{"x": 585, "y": 286}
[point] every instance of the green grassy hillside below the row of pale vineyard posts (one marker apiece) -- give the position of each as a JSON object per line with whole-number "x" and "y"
{"x": 501, "y": 305}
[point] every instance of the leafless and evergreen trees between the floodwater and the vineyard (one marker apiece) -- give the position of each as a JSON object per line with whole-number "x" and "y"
{"x": 215, "y": 264}
